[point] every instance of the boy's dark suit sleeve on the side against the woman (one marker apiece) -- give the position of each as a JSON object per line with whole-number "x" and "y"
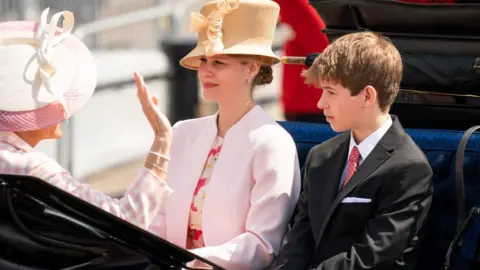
{"x": 296, "y": 254}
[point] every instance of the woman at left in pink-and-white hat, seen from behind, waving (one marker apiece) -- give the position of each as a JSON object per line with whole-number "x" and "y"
{"x": 46, "y": 76}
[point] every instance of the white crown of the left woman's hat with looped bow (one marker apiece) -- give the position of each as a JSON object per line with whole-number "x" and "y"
{"x": 35, "y": 70}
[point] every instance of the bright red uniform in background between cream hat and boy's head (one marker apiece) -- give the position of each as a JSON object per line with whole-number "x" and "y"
{"x": 298, "y": 99}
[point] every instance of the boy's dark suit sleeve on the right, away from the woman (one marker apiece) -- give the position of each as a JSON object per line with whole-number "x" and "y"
{"x": 402, "y": 209}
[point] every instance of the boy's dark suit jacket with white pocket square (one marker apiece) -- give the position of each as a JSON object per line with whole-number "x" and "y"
{"x": 381, "y": 234}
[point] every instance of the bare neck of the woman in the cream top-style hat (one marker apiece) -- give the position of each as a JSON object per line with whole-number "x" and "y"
{"x": 229, "y": 115}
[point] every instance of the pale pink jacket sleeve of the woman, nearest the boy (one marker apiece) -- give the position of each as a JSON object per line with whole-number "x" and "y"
{"x": 275, "y": 192}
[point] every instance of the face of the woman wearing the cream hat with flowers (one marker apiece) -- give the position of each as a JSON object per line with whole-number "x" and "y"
{"x": 225, "y": 77}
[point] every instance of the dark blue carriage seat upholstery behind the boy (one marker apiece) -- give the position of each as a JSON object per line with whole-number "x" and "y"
{"x": 439, "y": 146}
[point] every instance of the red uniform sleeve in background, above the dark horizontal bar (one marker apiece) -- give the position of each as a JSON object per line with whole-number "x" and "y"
{"x": 306, "y": 23}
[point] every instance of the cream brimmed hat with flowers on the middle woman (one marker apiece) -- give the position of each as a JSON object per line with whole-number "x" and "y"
{"x": 234, "y": 27}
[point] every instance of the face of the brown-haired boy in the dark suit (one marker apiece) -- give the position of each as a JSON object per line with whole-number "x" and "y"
{"x": 342, "y": 110}
